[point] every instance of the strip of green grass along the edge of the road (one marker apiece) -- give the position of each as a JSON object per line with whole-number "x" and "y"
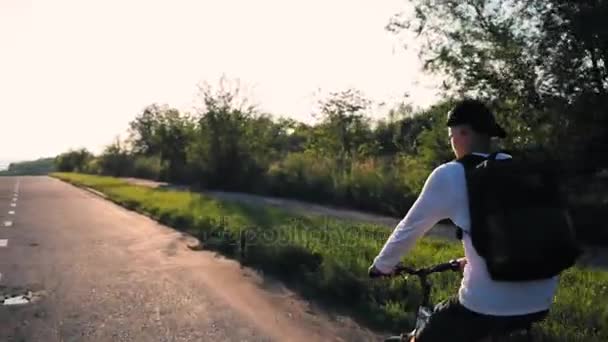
{"x": 326, "y": 260}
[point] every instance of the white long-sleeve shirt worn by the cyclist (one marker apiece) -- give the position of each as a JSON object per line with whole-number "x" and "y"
{"x": 444, "y": 195}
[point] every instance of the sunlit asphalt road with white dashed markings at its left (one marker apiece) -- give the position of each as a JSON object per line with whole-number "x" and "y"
{"x": 92, "y": 271}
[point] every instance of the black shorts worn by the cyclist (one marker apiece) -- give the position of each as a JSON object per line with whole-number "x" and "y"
{"x": 453, "y": 322}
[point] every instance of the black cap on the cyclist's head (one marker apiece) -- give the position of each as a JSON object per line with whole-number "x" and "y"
{"x": 476, "y": 114}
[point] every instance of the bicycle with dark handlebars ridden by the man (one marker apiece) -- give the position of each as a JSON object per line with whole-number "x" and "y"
{"x": 425, "y": 309}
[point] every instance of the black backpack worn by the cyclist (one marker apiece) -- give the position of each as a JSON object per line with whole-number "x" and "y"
{"x": 520, "y": 223}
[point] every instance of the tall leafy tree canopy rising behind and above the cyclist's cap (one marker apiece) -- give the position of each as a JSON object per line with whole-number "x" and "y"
{"x": 541, "y": 64}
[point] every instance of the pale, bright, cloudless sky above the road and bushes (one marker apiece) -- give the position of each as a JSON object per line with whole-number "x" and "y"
{"x": 73, "y": 73}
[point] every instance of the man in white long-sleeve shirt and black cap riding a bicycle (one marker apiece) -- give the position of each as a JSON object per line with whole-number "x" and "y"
{"x": 483, "y": 306}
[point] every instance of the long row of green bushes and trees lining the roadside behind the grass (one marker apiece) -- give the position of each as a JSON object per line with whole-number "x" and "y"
{"x": 343, "y": 160}
